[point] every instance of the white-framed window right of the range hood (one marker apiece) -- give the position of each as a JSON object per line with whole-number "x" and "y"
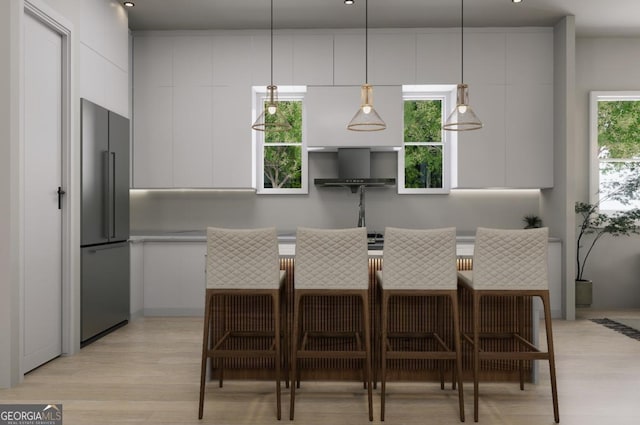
{"x": 424, "y": 160}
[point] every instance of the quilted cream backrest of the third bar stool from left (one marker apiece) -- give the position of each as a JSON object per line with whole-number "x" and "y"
{"x": 419, "y": 258}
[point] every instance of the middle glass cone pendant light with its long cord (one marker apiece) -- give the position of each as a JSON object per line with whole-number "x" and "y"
{"x": 366, "y": 119}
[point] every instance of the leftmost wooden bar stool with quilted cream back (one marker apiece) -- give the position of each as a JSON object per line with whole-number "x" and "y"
{"x": 242, "y": 263}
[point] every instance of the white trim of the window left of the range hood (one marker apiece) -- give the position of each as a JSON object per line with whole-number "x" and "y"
{"x": 284, "y": 93}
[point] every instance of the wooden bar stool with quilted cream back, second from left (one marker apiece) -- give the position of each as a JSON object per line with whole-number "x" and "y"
{"x": 331, "y": 263}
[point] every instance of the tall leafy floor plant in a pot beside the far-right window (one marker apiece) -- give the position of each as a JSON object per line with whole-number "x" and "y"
{"x": 596, "y": 224}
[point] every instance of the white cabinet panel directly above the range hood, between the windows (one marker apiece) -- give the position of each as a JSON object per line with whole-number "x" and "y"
{"x": 329, "y": 110}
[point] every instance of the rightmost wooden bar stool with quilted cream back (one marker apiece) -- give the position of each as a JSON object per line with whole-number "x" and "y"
{"x": 509, "y": 263}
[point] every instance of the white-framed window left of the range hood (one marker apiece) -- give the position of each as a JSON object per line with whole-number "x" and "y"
{"x": 282, "y": 155}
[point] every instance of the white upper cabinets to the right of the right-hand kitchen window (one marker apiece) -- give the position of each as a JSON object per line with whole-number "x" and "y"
{"x": 511, "y": 90}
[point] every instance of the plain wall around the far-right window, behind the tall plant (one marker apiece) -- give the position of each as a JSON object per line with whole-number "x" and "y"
{"x": 606, "y": 64}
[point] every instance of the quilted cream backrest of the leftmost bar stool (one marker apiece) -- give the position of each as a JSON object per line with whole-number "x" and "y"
{"x": 242, "y": 258}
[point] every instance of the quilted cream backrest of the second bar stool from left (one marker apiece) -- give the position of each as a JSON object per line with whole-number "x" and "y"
{"x": 331, "y": 259}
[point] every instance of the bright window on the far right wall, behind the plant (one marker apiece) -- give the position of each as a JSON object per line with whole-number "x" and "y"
{"x": 615, "y": 146}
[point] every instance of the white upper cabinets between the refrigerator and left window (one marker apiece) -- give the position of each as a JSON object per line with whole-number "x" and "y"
{"x": 190, "y": 132}
